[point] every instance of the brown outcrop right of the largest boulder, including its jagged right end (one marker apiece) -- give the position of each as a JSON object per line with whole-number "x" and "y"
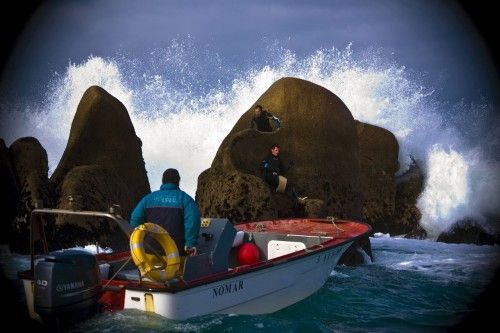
{"x": 389, "y": 202}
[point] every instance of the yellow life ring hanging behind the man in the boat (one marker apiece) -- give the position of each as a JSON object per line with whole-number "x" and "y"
{"x": 158, "y": 267}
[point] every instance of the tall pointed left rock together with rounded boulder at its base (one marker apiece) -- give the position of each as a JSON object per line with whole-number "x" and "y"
{"x": 102, "y": 164}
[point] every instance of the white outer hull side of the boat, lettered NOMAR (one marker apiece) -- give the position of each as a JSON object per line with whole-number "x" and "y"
{"x": 256, "y": 292}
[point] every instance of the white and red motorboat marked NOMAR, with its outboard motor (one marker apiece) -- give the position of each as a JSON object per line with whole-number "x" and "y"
{"x": 296, "y": 258}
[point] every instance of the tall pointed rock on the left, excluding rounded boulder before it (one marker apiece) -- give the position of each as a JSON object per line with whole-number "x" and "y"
{"x": 102, "y": 134}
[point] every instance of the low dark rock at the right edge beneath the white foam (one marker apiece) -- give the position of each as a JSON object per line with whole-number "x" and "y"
{"x": 468, "y": 232}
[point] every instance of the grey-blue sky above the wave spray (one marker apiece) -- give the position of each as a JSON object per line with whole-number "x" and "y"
{"x": 435, "y": 39}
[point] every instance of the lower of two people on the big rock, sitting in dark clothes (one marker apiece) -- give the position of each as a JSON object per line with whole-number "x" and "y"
{"x": 273, "y": 170}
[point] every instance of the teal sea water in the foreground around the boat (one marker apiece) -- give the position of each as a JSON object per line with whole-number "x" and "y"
{"x": 412, "y": 286}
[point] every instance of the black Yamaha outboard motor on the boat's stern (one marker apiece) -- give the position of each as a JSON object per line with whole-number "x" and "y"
{"x": 67, "y": 285}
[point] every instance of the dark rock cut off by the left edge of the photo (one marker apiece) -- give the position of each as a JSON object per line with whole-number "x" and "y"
{"x": 9, "y": 193}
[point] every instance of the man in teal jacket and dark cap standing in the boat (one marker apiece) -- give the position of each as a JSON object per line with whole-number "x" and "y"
{"x": 173, "y": 209}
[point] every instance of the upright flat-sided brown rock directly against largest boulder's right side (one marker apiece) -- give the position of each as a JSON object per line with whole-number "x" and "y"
{"x": 378, "y": 161}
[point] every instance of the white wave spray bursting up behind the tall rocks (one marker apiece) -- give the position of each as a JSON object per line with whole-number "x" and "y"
{"x": 182, "y": 114}
